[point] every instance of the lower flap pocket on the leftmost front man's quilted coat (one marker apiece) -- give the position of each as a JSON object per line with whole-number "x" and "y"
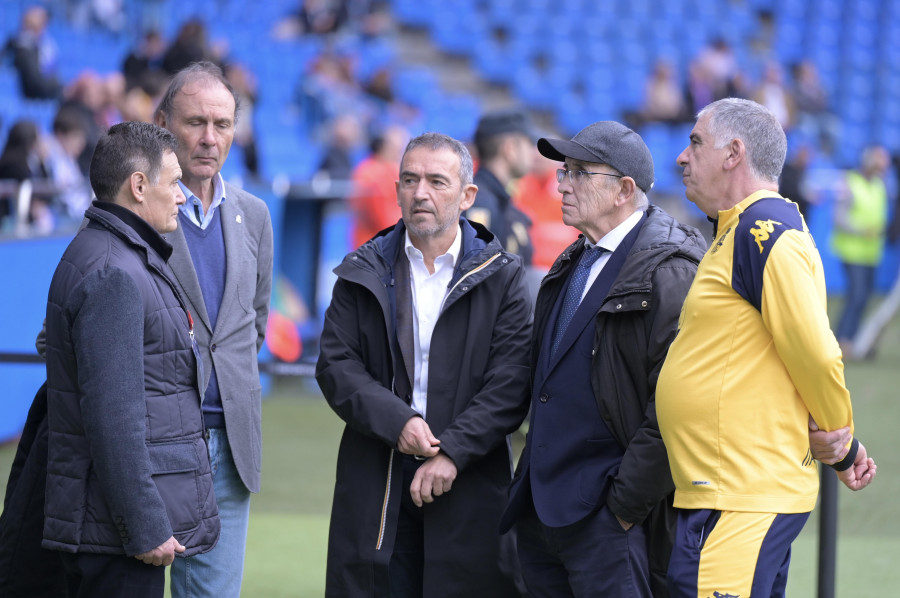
{"x": 176, "y": 471}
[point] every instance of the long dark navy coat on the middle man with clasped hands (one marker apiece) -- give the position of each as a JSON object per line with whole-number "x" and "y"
{"x": 477, "y": 395}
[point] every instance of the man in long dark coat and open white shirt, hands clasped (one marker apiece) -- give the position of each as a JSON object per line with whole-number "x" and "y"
{"x": 424, "y": 355}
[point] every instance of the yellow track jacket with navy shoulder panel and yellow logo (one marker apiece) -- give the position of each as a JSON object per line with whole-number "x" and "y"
{"x": 753, "y": 358}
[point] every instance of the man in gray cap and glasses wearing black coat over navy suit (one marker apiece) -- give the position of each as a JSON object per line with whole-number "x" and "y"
{"x": 592, "y": 494}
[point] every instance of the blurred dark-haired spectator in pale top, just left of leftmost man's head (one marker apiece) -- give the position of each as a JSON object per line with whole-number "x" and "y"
{"x": 62, "y": 150}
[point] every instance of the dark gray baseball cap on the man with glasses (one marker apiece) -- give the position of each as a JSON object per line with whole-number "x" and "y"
{"x": 606, "y": 142}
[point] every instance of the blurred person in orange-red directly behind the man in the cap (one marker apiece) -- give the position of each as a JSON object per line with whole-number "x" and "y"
{"x": 536, "y": 194}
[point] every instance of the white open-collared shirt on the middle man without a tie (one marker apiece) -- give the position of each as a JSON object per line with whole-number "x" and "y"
{"x": 428, "y": 293}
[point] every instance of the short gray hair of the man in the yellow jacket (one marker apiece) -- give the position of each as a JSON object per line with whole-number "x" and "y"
{"x": 756, "y": 126}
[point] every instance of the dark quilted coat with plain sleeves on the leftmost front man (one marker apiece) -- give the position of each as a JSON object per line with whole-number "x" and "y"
{"x": 128, "y": 465}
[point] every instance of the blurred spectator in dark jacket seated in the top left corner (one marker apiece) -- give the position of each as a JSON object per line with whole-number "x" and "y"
{"x": 35, "y": 54}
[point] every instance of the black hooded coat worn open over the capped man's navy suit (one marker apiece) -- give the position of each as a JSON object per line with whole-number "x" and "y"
{"x": 634, "y": 327}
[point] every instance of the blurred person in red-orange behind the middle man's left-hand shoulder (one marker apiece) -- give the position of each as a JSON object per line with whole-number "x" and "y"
{"x": 374, "y": 196}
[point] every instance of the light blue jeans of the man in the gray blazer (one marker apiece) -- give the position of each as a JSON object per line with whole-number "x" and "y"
{"x": 218, "y": 573}
